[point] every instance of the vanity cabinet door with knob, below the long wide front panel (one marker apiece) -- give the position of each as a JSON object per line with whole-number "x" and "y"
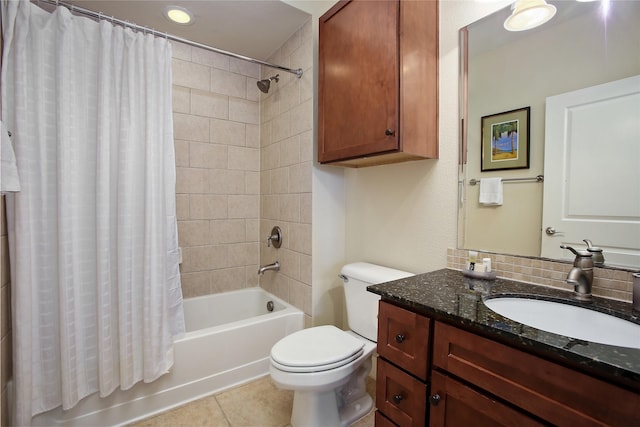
{"x": 456, "y": 405}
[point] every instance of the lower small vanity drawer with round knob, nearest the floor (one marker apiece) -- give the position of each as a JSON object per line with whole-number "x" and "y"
{"x": 402, "y": 398}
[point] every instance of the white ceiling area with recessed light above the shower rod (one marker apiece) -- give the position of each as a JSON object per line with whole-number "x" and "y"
{"x": 253, "y": 28}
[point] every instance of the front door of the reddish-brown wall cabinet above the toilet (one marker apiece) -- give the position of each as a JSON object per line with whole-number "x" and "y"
{"x": 358, "y": 91}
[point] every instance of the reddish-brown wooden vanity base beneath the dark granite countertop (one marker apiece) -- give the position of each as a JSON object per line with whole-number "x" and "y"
{"x": 473, "y": 380}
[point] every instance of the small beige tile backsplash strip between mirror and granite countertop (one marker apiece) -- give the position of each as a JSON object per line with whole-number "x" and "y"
{"x": 608, "y": 282}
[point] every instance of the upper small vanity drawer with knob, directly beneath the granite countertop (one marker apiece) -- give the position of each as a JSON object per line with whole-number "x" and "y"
{"x": 403, "y": 338}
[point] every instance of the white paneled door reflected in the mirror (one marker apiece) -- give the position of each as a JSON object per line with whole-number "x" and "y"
{"x": 592, "y": 171}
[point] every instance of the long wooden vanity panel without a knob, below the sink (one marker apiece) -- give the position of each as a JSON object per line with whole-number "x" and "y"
{"x": 553, "y": 392}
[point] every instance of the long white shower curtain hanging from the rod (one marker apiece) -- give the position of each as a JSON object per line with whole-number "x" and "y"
{"x": 93, "y": 239}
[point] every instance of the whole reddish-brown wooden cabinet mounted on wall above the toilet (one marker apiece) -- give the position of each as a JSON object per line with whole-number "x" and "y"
{"x": 378, "y": 82}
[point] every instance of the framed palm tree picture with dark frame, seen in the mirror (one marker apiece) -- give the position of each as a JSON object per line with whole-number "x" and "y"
{"x": 505, "y": 140}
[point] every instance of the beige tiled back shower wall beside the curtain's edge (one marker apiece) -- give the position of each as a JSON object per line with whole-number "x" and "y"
{"x": 217, "y": 140}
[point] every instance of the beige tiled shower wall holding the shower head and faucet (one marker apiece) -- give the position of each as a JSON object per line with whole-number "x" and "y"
{"x": 286, "y": 141}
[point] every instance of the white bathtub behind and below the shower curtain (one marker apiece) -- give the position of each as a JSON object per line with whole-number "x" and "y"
{"x": 228, "y": 341}
